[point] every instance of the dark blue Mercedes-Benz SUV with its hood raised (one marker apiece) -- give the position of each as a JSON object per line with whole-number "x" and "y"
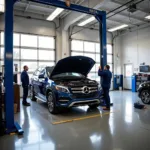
{"x": 66, "y": 84}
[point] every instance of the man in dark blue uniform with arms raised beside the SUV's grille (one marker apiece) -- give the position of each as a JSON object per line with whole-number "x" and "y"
{"x": 106, "y": 76}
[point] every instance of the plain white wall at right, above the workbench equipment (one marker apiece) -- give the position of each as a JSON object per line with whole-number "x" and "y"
{"x": 135, "y": 48}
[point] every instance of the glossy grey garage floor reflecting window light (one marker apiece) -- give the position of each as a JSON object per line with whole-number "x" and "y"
{"x": 125, "y": 128}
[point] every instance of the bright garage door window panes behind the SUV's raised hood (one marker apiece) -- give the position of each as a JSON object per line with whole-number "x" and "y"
{"x": 92, "y": 50}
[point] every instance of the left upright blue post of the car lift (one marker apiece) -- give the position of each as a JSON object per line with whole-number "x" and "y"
{"x": 8, "y": 58}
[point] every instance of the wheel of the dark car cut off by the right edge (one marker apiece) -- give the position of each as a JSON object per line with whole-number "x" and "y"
{"x": 145, "y": 96}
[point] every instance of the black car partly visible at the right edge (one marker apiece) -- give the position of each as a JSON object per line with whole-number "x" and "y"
{"x": 144, "y": 92}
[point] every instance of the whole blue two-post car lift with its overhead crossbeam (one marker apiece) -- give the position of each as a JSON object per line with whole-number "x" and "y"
{"x": 12, "y": 126}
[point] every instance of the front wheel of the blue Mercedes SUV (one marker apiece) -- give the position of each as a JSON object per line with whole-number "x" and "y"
{"x": 51, "y": 103}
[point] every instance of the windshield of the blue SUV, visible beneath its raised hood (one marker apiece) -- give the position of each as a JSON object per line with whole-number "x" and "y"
{"x": 69, "y": 74}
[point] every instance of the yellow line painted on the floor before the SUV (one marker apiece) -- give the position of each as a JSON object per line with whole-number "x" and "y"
{"x": 81, "y": 118}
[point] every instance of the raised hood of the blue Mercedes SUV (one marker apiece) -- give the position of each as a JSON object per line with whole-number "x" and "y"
{"x": 77, "y": 64}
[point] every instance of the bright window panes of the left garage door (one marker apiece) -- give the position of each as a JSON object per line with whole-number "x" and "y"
{"x": 30, "y": 50}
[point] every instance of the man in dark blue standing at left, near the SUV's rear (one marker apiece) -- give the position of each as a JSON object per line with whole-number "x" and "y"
{"x": 25, "y": 85}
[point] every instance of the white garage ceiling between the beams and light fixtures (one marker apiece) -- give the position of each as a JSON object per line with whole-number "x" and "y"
{"x": 124, "y": 17}
